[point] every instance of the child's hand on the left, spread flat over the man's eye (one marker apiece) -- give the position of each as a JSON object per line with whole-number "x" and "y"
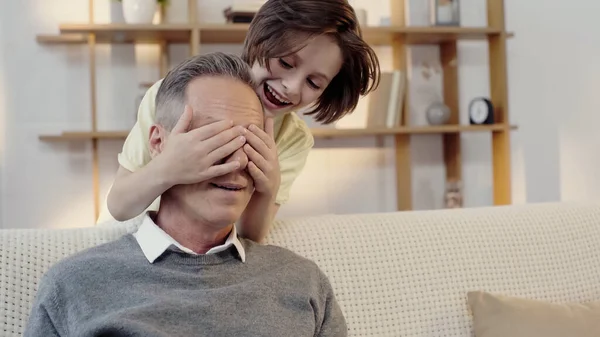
{"x": 190, "y": 157}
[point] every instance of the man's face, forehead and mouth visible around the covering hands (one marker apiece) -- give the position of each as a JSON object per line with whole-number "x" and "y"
{"x": 219, "y": 201}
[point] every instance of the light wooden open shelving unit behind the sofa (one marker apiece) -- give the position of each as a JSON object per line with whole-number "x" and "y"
{"x": 399, "y": 36}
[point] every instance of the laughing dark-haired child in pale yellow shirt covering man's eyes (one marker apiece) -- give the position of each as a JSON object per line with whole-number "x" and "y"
{"x": 302, "y": 53}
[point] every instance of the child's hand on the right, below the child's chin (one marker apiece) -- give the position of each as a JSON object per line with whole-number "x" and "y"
{"x": 263, "y": 163}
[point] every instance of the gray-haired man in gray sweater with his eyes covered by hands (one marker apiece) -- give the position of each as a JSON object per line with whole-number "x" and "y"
{"x": 185, "y": 272}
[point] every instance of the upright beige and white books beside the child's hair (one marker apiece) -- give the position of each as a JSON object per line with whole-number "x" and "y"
{"x": 386, "y": 103}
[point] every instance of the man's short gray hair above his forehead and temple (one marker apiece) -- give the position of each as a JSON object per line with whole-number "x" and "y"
{"x": 171, "y": 97}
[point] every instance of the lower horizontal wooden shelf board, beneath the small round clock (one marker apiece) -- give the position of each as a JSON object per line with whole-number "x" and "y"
{"x": 317, "y": 132}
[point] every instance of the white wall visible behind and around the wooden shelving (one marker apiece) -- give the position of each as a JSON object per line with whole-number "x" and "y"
{"x": 49, "y": 185}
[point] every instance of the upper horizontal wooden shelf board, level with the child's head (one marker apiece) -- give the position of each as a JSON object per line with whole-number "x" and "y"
{"x": 236, "y": 33}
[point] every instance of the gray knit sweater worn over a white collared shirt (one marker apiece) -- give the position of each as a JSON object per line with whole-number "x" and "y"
{"x": 112, "y": 290}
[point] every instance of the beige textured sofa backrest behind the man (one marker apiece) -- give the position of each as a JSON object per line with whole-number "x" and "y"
{"x": 395, "y": 274}
